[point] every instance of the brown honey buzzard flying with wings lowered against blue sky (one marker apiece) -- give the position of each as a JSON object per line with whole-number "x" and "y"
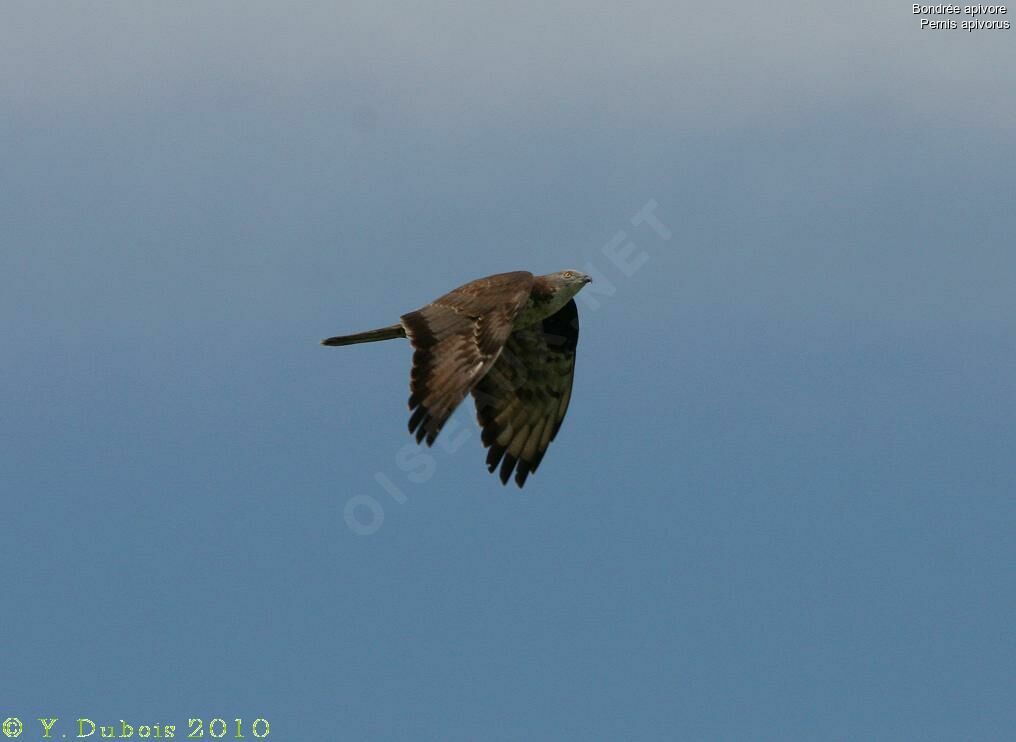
{"x": 511, "y": 341}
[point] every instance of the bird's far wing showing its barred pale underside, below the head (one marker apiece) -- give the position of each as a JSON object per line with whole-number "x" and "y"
{"x": 522, "y": 402}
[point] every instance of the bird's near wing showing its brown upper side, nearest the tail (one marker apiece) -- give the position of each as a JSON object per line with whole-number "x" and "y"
{"x": 457, "y": 339}
